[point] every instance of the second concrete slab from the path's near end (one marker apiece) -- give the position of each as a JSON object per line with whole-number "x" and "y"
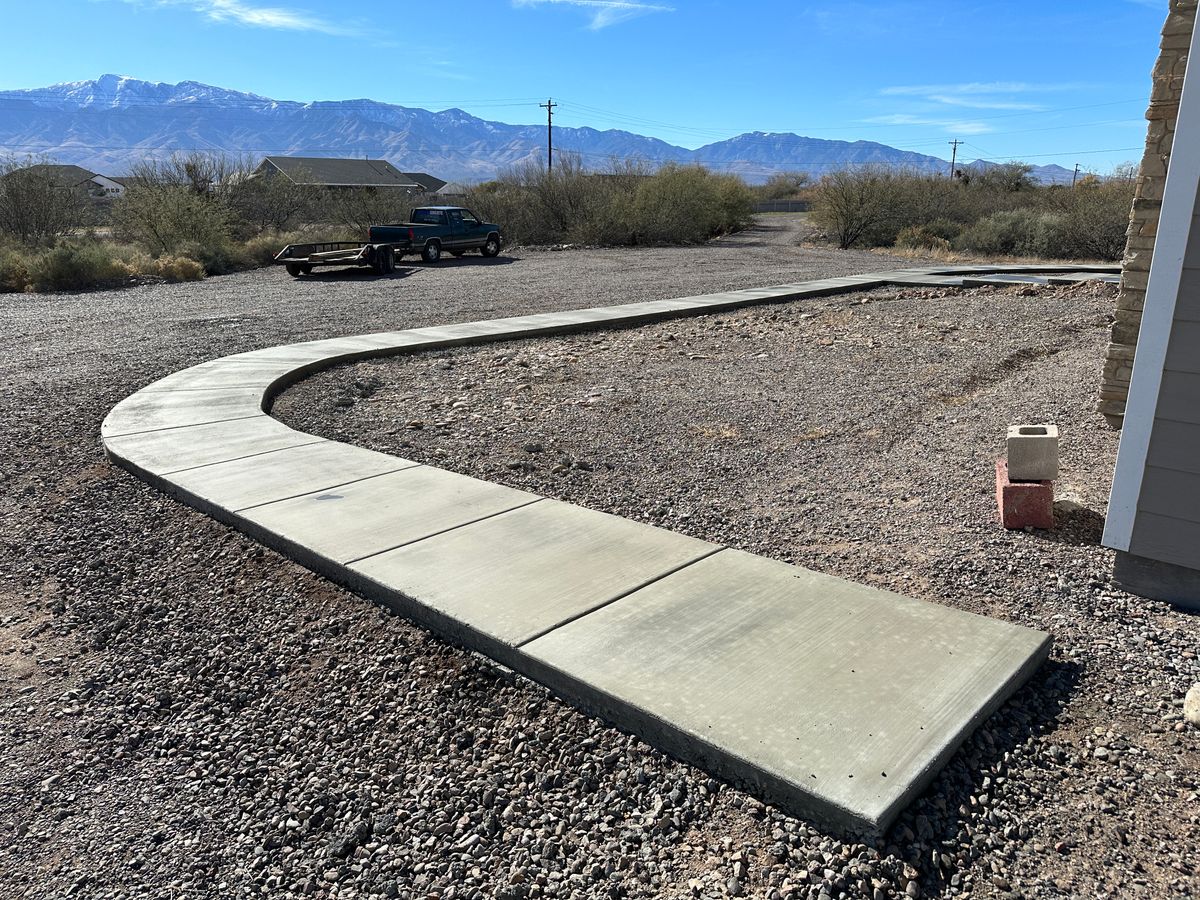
{"x": 521, "y": 574}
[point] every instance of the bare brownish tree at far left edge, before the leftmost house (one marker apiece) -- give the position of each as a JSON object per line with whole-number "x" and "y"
{"x": 37, "y": 207}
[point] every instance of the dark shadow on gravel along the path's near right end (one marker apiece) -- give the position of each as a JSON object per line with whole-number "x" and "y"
{"x": 974, "y": 808}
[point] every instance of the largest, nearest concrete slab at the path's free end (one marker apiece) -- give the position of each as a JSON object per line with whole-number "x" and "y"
{"x": 836, "y": 700}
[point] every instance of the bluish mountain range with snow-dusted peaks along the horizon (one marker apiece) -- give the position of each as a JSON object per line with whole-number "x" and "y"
{"x": 110, "y": 124}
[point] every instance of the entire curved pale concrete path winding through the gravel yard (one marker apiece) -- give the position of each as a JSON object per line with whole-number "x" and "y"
{"x": 837, "y": 701}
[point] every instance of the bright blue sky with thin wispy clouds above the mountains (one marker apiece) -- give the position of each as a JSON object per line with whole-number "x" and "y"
{"x": 1045, "y": 82}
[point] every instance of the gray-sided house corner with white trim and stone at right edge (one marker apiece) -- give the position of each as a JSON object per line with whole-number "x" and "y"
{"x": 1154, "y": 518}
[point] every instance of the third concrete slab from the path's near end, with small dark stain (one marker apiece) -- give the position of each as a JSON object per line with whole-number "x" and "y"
{"x": 383, "y": 513}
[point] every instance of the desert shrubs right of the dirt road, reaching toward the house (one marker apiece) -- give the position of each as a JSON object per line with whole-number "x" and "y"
{"x": 999, "y": 212}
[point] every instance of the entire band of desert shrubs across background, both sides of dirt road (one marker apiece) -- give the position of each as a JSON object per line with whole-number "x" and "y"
{"x": 193, "y": 215}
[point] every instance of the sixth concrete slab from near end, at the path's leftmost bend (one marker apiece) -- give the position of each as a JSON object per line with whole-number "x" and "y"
{"x": 153, "y": 411}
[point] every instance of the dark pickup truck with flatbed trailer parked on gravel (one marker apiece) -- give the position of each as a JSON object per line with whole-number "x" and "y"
{"x": 431, "y": 232}
